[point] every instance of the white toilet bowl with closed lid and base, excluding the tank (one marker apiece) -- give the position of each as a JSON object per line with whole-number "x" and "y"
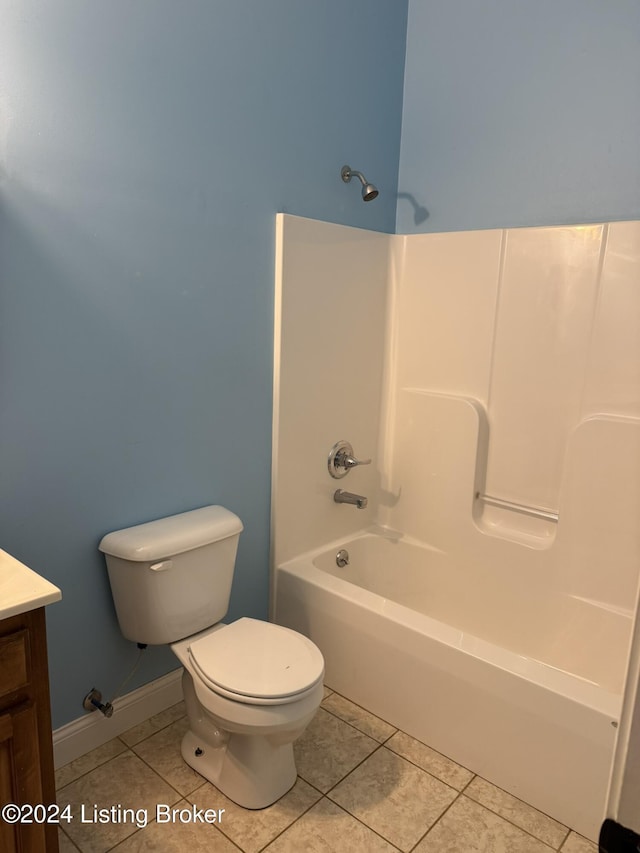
{"x": 241, "y": 736}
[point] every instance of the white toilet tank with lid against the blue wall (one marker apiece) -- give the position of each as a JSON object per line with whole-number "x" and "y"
{"x": 172, "y": 577}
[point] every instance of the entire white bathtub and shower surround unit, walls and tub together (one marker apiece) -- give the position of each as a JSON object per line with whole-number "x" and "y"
{"x": 496, "y": 362}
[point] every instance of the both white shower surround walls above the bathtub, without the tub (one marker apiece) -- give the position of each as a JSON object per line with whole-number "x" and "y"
{"x": 499, "y": 362}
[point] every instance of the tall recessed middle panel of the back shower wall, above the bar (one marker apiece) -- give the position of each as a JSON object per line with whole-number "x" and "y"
{"x": 548, "y": 289}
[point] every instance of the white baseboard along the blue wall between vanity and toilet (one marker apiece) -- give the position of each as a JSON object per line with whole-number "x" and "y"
{"x": 93, "y": 729}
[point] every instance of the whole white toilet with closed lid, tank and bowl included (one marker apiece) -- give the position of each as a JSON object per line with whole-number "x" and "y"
{"x": 250, "y": 687}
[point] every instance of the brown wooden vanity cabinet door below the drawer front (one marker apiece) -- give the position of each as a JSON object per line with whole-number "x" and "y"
{"x": 20, "y": 777}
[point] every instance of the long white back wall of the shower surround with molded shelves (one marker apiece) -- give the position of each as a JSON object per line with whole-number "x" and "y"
{"x": 541, "y": 328}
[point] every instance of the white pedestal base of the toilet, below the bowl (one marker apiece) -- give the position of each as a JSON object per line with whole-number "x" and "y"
{"x": 250, "y": 770}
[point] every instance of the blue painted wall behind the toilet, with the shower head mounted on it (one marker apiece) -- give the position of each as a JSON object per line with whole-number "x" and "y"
{"x": 145, "y": 148}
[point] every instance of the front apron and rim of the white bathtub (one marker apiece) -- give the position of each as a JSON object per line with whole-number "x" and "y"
{"x": 541, "y": 734}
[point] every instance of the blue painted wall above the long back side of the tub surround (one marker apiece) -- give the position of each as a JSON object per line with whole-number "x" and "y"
{"x": 520, "y": 114}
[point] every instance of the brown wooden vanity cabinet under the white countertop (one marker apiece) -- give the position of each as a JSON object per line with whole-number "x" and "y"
{"x": 26, "y": 750}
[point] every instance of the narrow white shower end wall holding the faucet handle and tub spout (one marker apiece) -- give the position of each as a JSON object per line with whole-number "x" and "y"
{"x": 331, "y": 292}
